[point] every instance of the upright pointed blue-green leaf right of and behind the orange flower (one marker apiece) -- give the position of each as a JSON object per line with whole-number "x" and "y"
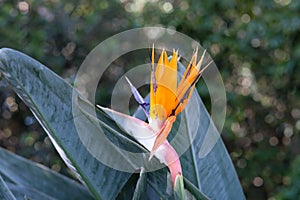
{"x": 214, "y": 174}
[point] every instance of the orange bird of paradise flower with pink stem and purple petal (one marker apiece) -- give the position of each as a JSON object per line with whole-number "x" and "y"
{"x": 168, "y": 97}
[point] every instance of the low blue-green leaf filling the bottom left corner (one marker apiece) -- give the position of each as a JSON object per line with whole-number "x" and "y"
{"x": 26, "y": 178}
